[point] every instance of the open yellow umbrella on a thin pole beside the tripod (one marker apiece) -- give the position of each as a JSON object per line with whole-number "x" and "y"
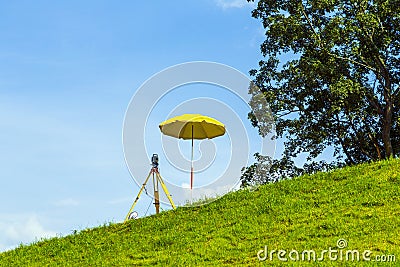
{"x": 192, "y": 126}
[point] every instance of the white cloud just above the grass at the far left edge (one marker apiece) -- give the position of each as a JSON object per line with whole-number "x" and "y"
{"x": 21, "y": 229}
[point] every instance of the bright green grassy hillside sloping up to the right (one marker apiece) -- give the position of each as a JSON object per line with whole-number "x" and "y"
{"x": 360, "y": 204}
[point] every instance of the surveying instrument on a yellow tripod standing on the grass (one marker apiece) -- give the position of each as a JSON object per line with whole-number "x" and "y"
{"x": 155, "y": 174}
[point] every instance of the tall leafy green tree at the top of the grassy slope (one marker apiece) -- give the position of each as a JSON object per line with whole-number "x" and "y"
{"x": 340, "y": 86}
